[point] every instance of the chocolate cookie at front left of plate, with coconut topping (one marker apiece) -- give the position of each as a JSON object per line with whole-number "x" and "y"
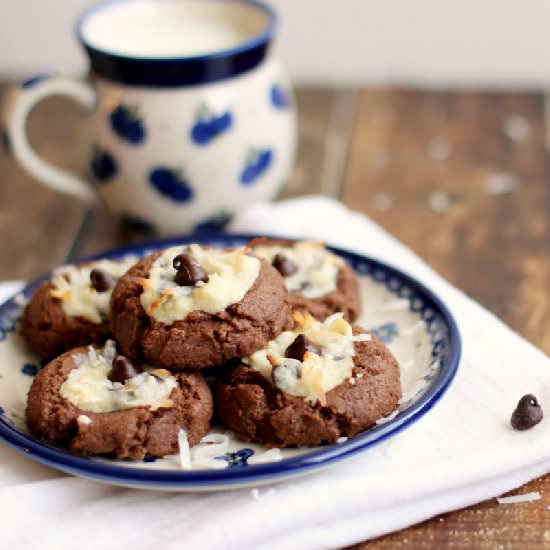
{"x": 97, "y": 403}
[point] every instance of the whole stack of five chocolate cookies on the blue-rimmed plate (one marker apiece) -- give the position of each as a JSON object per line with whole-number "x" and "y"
{"x": 128, "y": 343}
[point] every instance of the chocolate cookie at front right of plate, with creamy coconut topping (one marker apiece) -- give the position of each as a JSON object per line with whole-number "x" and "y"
{"x": 310, "y": 386}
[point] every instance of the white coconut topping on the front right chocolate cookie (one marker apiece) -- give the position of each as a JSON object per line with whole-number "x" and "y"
{"x": 317, "y": 374}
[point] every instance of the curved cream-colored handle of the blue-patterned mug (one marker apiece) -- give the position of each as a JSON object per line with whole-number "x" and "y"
{"x": 17, "y": 112}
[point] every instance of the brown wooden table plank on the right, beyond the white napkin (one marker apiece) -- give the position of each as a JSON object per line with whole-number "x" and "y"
{"x": 462, "y": 178}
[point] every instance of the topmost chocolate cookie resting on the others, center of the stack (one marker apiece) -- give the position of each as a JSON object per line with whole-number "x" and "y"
{"x": 192, "y": 307}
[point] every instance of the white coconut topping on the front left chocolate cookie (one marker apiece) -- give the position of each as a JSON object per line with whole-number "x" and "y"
{"x": 89, "y": 388}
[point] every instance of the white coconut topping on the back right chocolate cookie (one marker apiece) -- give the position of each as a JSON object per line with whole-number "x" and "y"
{"x": 317, "y": 268}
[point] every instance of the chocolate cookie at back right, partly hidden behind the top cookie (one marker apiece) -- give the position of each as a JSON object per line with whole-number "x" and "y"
{"x": 317, "y": 280}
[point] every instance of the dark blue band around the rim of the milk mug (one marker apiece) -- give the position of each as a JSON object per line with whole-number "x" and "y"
{"x": 183, "y": 70}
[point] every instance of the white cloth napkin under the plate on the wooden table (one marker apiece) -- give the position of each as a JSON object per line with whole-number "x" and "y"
{"x": 461, "y": 452}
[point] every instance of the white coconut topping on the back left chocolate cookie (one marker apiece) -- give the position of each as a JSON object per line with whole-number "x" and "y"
{"x": 71, "y": 285}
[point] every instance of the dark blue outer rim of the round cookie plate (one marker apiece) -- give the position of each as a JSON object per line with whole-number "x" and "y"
{"x": 288, "y": 467}
